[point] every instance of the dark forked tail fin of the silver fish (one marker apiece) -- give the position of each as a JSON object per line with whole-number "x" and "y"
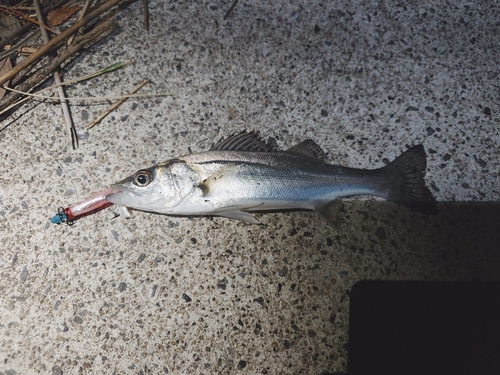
{"x": 406, "y": 181}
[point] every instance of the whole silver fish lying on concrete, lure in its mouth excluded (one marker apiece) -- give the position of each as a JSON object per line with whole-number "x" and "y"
{"x": 243, "y": 174}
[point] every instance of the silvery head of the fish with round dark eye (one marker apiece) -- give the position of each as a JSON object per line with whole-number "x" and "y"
{"x": 152, "y": 189}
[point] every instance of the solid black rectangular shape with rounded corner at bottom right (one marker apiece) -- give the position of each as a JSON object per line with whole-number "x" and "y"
{"x": 418, "y": 327}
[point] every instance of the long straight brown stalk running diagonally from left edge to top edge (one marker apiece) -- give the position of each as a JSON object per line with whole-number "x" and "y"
{"x": 58, "y": 40}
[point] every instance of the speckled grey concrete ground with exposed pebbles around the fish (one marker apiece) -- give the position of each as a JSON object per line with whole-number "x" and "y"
{"x": 154, "y": 294}
